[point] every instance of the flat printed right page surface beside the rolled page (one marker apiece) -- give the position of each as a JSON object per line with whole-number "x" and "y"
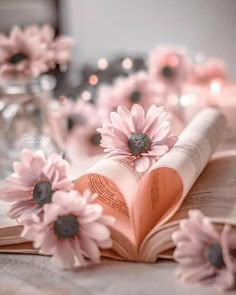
{"x": 214, "y": 193}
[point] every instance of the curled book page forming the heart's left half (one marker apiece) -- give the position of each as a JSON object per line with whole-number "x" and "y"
{"x": 116, "y": 183}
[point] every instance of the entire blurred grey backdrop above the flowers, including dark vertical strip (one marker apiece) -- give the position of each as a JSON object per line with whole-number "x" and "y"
{"x": 118, "y": 28}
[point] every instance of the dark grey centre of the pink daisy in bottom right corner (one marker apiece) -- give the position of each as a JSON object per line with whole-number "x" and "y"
{"x": 213, "y": 254}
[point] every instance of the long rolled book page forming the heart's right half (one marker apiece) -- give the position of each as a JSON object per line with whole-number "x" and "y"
{"x": 164, "y": 188}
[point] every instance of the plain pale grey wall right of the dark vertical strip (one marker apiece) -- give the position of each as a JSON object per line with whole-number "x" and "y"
{"x": 103, "y": 28}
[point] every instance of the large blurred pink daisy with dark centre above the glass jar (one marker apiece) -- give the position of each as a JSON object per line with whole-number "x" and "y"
{"x": 22, "y": 56}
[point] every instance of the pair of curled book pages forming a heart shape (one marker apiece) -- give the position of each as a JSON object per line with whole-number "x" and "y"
{"x": 139, "y": 202}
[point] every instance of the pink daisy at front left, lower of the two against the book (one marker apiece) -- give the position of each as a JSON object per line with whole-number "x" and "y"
{"x": 72, "y": 229}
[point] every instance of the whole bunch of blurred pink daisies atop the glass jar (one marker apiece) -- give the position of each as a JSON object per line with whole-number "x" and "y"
{"x": 25, "y": 54}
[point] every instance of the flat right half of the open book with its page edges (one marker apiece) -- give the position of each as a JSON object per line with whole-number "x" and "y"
{"x": 214, "y": 193}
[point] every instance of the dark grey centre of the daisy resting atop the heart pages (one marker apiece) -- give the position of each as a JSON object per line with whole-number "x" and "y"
{"x": 139, "y": 143}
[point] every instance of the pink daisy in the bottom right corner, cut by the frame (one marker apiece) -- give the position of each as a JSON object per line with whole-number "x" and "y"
{"x": 203, "y": 253}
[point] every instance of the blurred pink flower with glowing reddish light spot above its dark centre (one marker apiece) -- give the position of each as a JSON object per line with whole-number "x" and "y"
{"x": 169, "y": 67}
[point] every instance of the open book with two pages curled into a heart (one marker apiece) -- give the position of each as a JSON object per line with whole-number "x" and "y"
{"x": 148, "y": 207}
